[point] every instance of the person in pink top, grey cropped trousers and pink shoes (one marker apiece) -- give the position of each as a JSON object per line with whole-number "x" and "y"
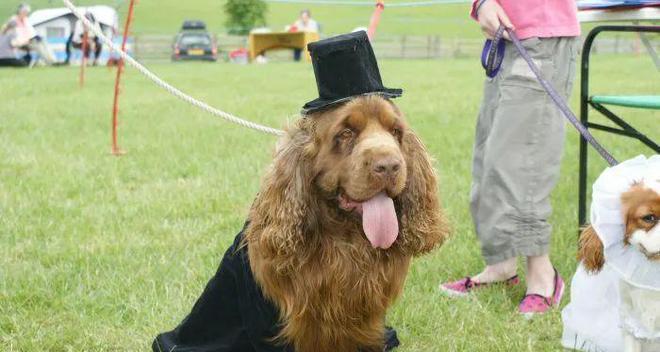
{"x": 518, "y": 148}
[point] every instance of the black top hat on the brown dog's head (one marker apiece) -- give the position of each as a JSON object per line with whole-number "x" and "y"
{"x": 345, "y": 67}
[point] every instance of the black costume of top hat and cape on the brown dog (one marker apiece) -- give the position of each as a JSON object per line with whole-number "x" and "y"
{"x": 232, "y": 314}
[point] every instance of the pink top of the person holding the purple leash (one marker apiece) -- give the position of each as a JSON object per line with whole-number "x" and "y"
{"x": 540, "y": 18}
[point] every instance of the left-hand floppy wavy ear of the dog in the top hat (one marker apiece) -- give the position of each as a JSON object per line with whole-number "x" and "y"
{"x": 285, "y": 207}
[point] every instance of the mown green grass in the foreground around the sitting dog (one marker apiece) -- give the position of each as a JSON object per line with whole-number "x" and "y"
{"x": 101, "y": 253}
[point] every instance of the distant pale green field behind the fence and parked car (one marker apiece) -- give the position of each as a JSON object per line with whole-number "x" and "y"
{"x": 165, "y": 16}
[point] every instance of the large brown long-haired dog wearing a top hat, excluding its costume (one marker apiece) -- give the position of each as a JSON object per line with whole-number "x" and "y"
{"x": 350, "y": 198}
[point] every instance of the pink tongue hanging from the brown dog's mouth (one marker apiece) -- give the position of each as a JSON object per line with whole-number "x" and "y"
{"x": 379, "y": 221}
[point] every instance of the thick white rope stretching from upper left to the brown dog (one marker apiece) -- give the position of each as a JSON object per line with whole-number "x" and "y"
{"x": 176, "y": 92}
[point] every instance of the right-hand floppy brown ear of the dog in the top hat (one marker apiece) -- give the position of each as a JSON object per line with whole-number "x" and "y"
{"x": 423, "y": 225}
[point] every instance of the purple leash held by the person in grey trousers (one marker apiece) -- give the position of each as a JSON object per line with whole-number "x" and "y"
{"x": 491, "y": 59}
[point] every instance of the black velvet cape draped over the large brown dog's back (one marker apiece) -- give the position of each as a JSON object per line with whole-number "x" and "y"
{"x": 232, "y": 314}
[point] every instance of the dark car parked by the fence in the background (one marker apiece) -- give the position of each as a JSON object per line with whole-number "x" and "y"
{"x": 194, "y": 43}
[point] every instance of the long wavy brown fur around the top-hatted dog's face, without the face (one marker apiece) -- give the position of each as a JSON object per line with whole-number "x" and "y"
{"x": 312, "y": 259}
